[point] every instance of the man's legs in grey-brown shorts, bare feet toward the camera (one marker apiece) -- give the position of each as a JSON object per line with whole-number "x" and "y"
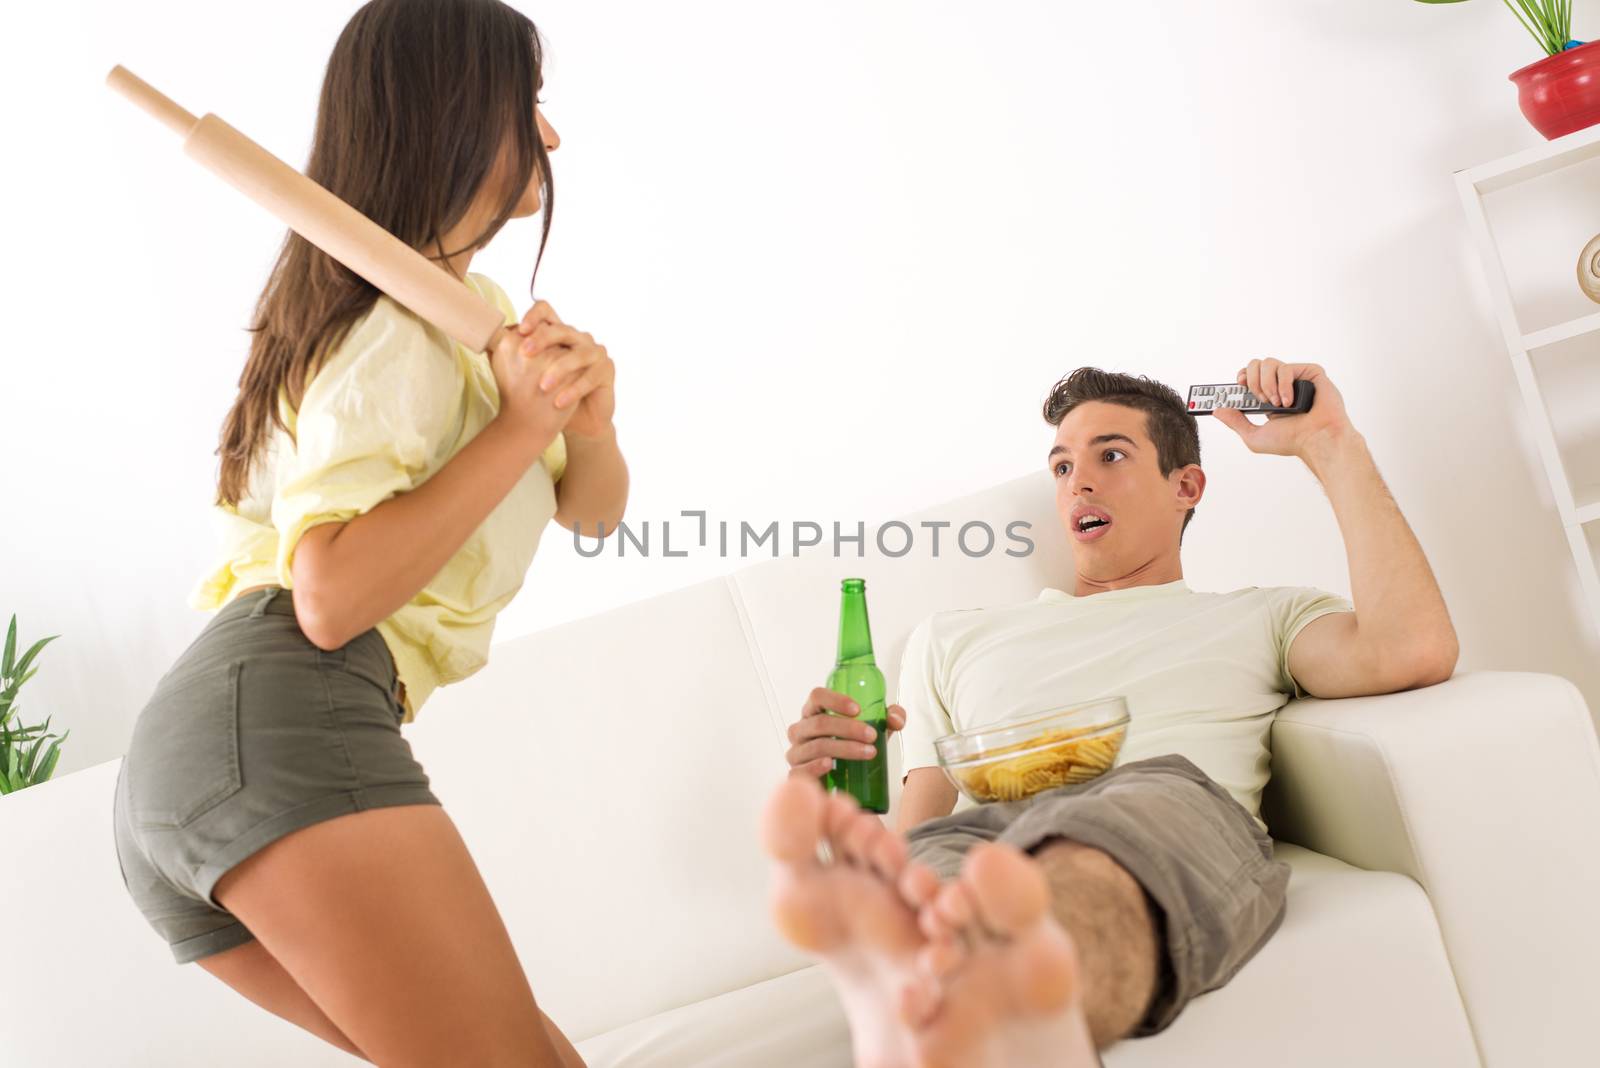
{"x": 1169, "y": 883}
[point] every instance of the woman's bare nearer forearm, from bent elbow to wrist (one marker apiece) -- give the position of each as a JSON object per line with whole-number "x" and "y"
{"x": 350, "y": 576}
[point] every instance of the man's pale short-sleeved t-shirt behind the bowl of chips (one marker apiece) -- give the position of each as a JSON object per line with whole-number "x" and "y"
{"x": 1202, "y": 672}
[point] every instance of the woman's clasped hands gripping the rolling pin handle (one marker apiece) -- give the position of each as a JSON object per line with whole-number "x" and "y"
{"x": 553, "y": 378}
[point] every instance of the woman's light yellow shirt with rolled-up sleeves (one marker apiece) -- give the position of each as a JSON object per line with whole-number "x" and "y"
{"x": 391, "y": 405}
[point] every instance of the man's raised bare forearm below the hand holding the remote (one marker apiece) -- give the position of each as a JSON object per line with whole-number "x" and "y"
{"x": 1398, "y": 600}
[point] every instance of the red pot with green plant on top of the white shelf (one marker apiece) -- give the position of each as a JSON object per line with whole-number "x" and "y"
{"x": 1559, "y": 94}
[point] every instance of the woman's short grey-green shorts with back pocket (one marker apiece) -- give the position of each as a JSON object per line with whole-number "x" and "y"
{"x": 254, "y": 735}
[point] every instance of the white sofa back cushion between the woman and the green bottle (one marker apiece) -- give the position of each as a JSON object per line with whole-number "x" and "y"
{"x": 607, "y": 776}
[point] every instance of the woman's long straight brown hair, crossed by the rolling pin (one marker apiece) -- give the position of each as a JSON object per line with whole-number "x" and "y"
{"x": 417, "y": 106}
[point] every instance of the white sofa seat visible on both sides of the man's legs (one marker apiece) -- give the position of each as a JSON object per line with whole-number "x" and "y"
{"x": 1356, "y": 974}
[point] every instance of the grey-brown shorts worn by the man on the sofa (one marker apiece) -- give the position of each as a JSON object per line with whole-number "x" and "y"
{"x": 1201, "y": 858}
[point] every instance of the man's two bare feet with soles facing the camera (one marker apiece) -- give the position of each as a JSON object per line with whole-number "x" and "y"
{"x": 972, "y": 976}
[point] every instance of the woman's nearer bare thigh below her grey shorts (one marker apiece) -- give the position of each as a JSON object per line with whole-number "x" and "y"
{"x": 385, "y": 922}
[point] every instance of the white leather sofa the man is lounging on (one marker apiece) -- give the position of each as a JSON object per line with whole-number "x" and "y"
{"x": 609, "y": 775}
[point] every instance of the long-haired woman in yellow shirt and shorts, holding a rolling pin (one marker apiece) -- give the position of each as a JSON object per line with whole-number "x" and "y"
{"x": 383, "y": 492}
